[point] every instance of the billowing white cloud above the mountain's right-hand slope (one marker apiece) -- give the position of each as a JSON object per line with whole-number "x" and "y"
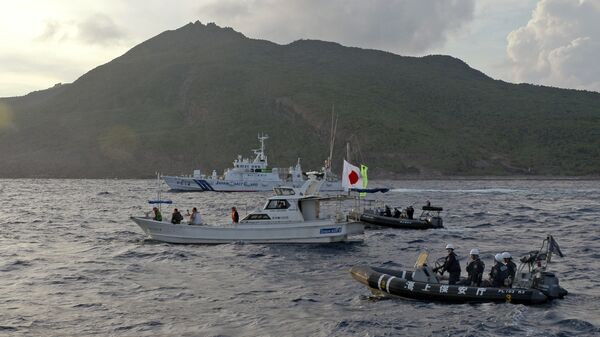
{"x": 559, "y": 45}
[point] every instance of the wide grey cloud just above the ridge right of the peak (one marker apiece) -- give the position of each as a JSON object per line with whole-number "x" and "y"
{"x": 402, "y": 26}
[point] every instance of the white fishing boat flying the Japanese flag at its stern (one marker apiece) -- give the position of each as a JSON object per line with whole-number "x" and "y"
{"x": 292, "y": 215}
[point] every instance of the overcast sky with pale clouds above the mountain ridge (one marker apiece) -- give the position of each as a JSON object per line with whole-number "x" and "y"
{"x": 548, "y": 42}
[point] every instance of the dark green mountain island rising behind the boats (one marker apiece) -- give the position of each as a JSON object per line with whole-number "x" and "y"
{"x": 197, "y": 96}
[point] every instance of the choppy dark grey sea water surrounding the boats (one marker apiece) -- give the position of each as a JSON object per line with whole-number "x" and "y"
{"x": 73, "y": 264}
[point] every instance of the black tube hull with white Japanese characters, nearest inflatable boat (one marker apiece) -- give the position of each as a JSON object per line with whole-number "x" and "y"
{"x": 400, "y": 283}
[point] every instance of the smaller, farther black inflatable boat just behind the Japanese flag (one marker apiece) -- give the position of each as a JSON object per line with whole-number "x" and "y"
{"x": 429, "y": 218}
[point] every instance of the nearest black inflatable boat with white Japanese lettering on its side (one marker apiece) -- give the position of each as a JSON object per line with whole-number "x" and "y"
{"x": 533, "y": 284}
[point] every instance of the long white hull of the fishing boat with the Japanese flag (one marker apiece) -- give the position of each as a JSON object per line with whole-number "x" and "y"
{"x": 322, "y": 231}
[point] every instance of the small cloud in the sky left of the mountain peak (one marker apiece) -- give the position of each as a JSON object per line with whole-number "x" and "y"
{"x": 97, "y": 28}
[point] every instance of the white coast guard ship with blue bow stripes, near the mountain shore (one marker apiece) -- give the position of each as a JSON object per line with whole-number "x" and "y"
{"x": 245, "y": 176}
